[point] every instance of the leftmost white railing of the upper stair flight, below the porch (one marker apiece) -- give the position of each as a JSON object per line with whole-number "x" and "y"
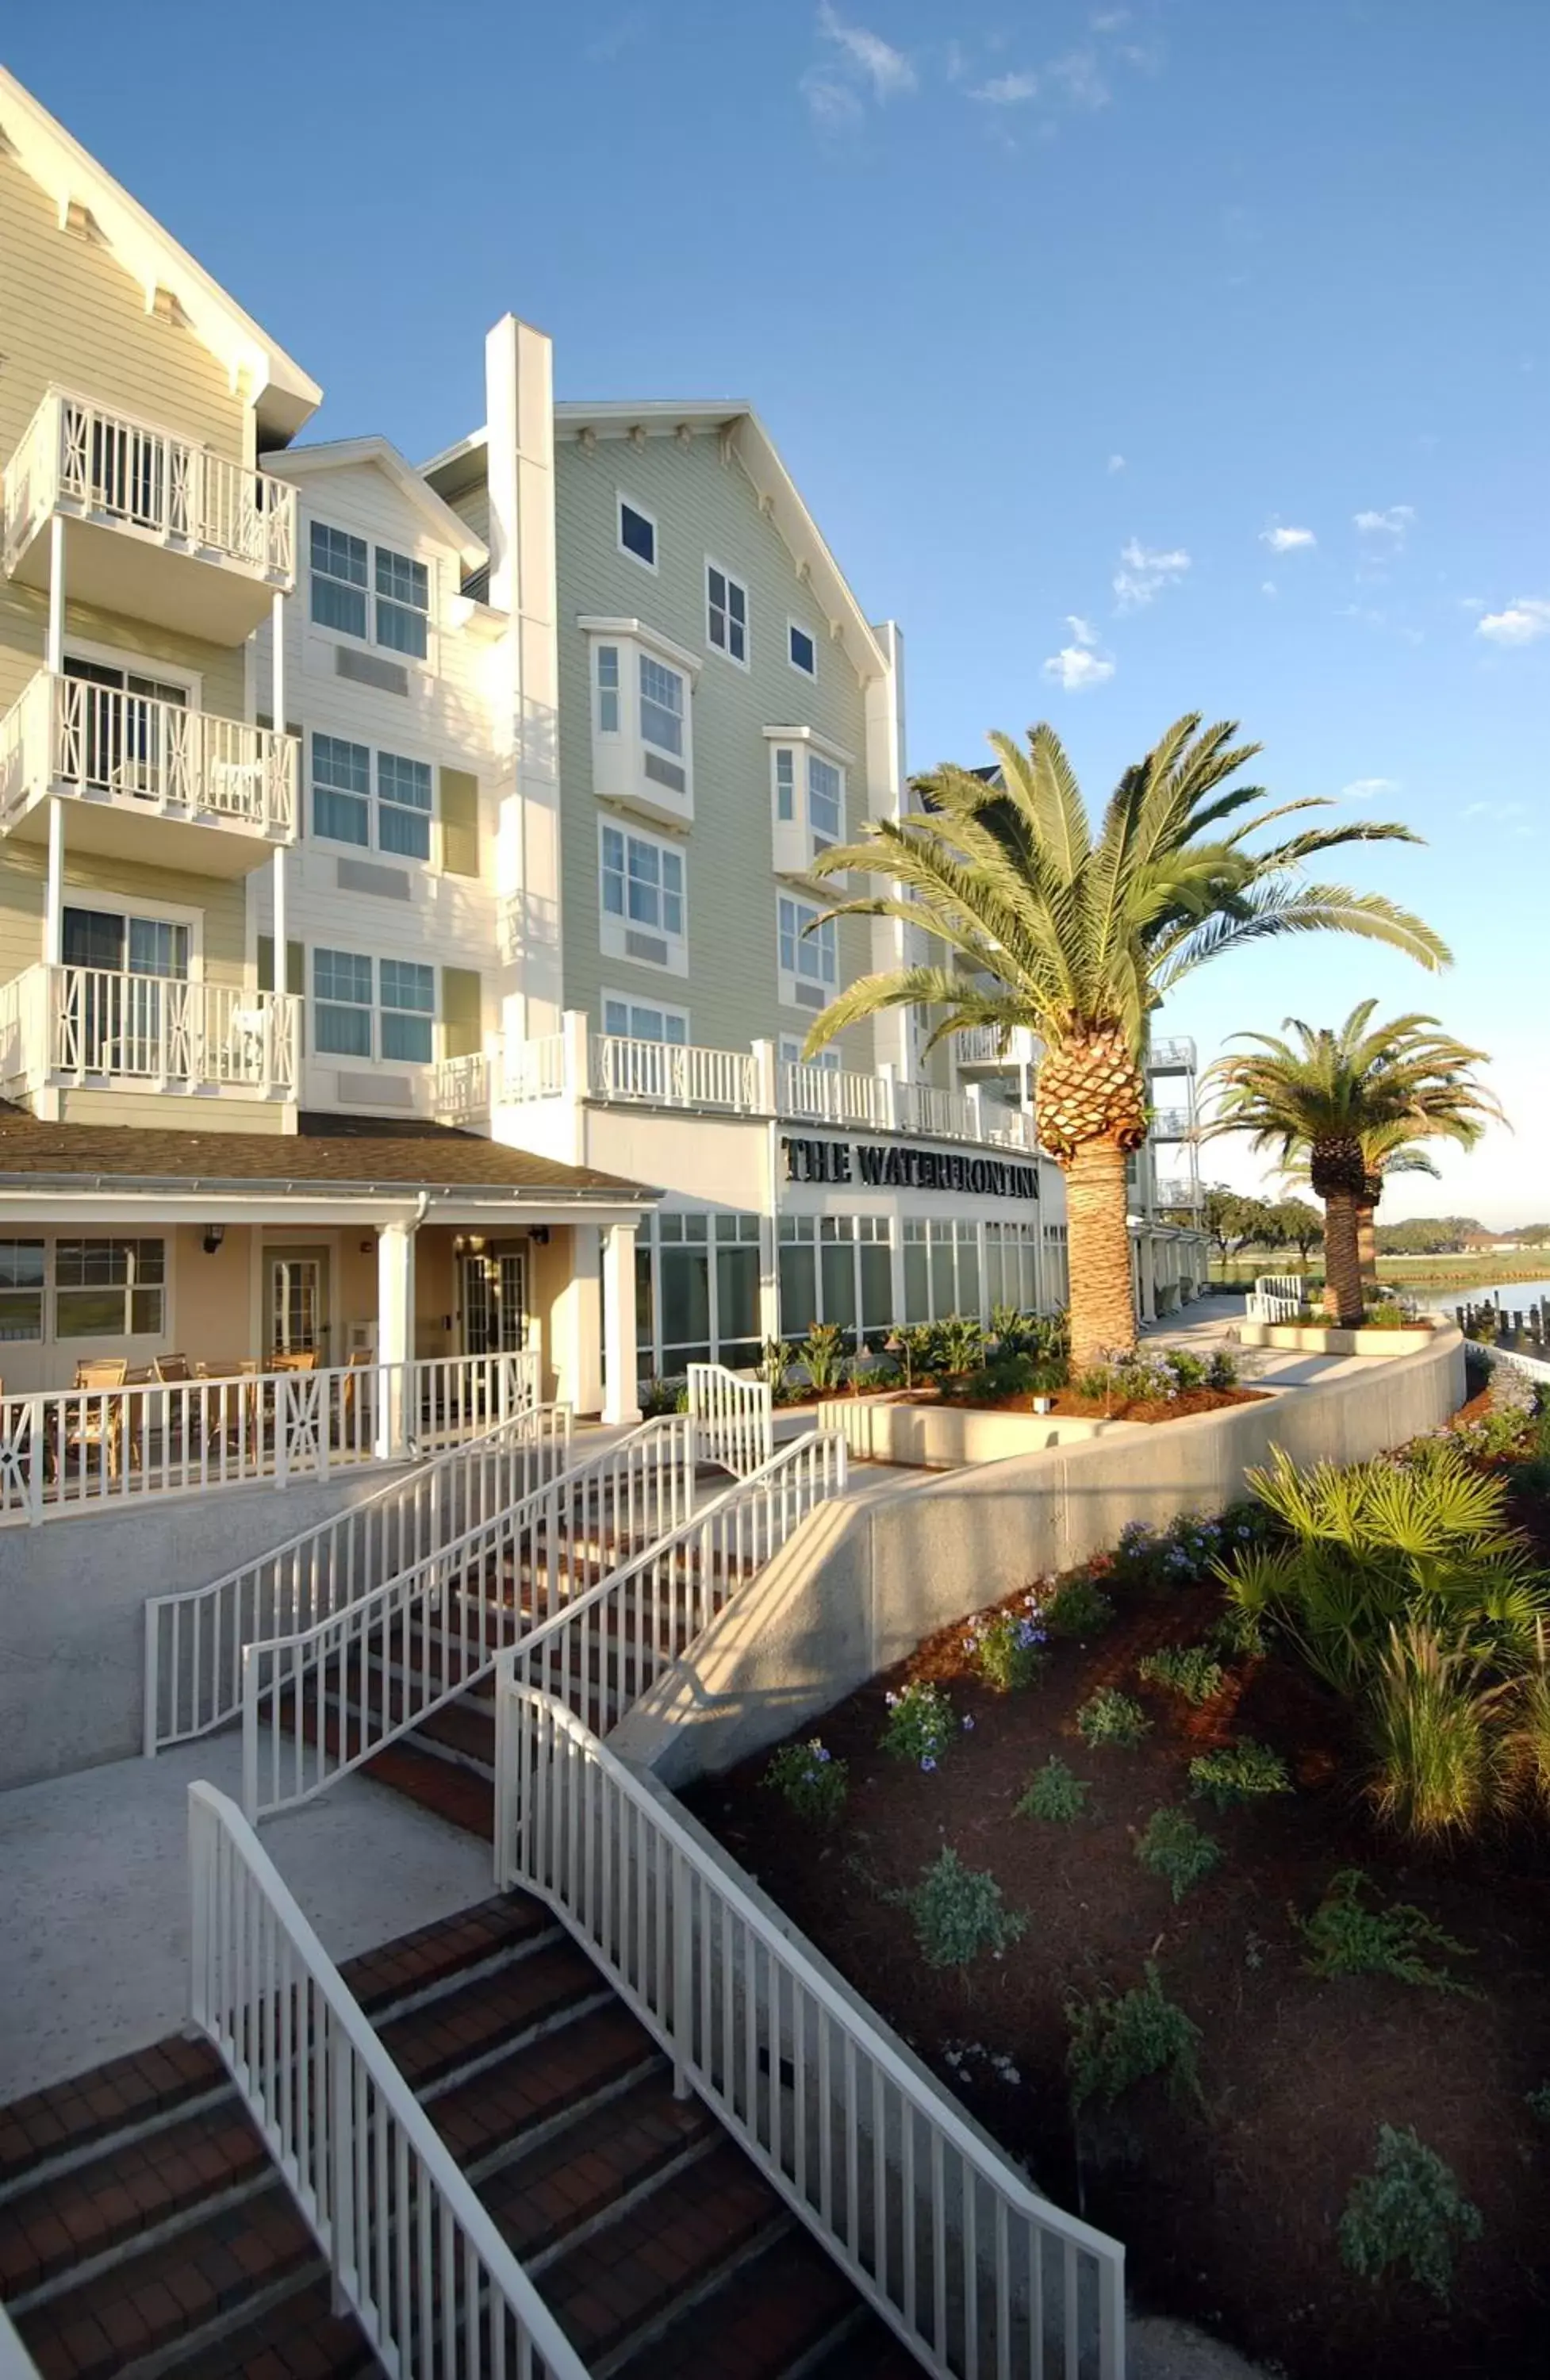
{"x": 194, "y": 1641}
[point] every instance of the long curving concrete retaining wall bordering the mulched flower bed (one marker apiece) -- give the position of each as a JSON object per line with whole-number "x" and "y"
{"x": 865, "y": 1579}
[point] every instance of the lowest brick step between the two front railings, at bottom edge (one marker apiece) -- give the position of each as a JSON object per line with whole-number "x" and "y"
{"x": 765, "y": 2322}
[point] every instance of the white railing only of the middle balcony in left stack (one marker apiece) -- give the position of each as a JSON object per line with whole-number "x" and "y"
{"x": 99, "y": 744}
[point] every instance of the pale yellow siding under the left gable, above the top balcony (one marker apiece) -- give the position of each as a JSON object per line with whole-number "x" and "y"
{"x": 73, "y": 318}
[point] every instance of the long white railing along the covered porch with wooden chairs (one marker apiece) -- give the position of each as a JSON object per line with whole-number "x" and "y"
{"x": 87, "y": 1448}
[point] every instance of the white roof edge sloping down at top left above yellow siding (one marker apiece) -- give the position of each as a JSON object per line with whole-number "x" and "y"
{"x": 282, "y": 392}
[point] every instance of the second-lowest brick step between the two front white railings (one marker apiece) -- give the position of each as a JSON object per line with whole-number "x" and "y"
{"x": 620, "y": 2286}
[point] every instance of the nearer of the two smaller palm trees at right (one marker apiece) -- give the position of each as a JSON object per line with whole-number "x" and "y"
{"x": 1351, "y": 1103}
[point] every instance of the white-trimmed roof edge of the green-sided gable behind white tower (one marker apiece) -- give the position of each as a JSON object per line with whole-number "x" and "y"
{"x": 761, "y": 463}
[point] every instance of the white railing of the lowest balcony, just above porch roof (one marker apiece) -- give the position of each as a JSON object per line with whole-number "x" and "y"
{"x": 89, "y": 1029}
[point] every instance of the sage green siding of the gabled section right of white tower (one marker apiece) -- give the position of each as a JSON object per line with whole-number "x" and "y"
{"x": 704, "y": 506}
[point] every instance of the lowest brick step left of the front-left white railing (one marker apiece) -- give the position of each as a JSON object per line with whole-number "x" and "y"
{"x": 142, "y": 2310}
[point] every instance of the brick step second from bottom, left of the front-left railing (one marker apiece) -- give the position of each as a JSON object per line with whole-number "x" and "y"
{"x": 135, "y": 2186}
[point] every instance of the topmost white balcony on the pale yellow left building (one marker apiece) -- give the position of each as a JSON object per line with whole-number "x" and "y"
{"x": 161, "y": 530}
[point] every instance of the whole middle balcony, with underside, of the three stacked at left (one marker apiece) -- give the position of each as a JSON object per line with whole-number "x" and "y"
{"x": 125, "y": 763}
